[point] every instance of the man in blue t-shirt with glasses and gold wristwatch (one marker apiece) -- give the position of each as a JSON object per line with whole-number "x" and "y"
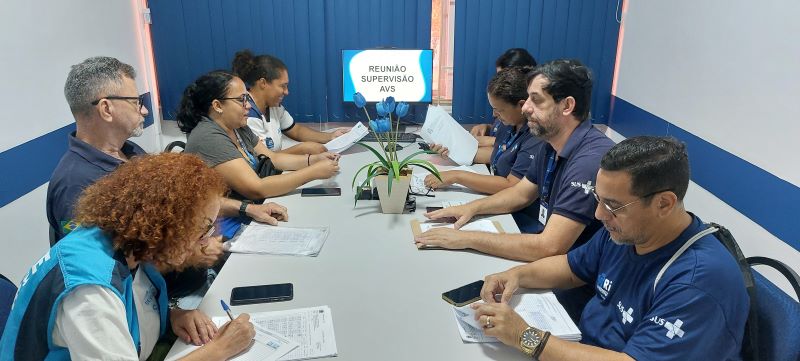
{"x": 666, "y": 288}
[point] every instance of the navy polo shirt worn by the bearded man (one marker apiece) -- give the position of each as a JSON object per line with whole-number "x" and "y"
{"x": 575, "y": 172}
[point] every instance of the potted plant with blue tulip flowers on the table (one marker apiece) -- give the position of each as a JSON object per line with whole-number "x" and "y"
{"x": 390, "y": 174}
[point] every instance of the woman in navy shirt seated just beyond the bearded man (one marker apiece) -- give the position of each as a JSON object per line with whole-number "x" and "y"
{"x": 513, "y": 148}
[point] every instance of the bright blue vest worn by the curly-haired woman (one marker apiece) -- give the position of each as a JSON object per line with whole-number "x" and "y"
{"x": 83, "y": 257}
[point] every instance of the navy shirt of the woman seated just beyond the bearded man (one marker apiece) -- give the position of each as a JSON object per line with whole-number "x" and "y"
{"x": 512, "y": 154}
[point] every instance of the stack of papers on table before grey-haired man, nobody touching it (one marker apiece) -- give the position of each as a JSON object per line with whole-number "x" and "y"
{"x": 266, "y": 239}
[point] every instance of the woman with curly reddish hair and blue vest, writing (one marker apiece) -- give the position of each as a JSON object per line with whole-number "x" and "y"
{"x": 98, "y": 294}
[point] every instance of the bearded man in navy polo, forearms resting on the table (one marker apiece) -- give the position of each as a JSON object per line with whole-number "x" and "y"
{"x": 560, "y": 175}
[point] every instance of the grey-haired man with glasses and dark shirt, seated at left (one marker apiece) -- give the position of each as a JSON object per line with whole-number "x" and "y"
{"x": 102, "y": 96}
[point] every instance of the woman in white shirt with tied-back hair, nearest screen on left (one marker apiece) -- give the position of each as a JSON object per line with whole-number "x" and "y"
{"x": 267, "y": 80}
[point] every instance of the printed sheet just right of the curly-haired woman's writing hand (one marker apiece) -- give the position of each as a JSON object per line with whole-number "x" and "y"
{"x": 311, "y": 328}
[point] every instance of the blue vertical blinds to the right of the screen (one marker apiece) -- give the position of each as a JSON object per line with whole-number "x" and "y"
{"x": 548, "y": 29}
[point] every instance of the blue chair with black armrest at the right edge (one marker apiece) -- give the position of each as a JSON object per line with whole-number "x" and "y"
{"x": 778, "y": 314}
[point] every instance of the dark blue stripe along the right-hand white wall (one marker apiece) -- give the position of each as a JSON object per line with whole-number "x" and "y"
{"x": 766, "y": 199}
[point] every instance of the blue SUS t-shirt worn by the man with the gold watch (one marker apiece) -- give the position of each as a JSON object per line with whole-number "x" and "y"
{"x": 697, "y": 311}
